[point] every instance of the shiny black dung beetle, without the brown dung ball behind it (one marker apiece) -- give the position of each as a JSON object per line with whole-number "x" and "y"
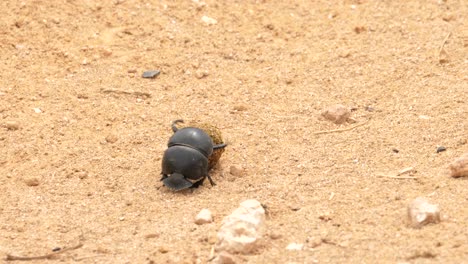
{"x": 185, "y": 161}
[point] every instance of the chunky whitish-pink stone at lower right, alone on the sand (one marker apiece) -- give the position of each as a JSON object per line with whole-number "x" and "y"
{"x": 421, "y": 212}
